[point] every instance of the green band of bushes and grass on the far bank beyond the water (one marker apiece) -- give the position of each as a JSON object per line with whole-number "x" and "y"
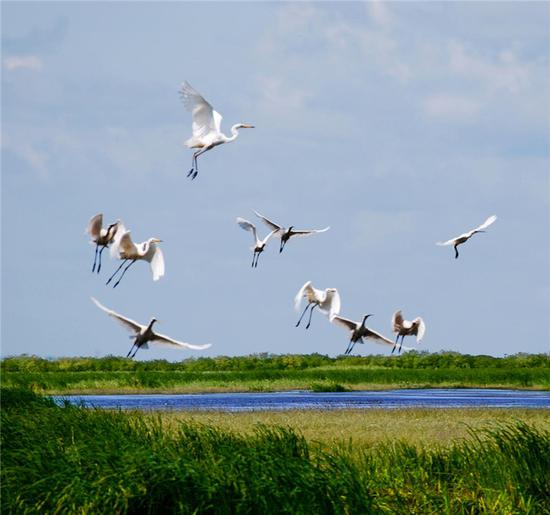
{"x": 265, "y": 372}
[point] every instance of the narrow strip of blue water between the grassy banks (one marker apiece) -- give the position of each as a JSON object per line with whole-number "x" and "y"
{"x": 277, "y": 401}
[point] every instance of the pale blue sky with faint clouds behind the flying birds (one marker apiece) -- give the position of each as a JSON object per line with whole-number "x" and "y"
{"x": 397, "y": 124}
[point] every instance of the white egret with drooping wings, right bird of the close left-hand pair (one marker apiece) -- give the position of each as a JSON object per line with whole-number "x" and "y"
{"x": 124, "y": 248}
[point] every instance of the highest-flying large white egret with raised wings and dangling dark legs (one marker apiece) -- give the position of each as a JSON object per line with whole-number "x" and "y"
{"x": 206, "y": 126}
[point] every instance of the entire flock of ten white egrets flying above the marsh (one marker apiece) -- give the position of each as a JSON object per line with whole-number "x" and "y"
{"x": 207, "y": 135}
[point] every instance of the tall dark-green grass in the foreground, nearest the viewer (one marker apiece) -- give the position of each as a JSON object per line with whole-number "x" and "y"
{"x": 73, "y": 460}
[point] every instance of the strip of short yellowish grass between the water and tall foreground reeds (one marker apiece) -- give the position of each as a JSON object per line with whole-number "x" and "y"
{"x": 364, "y": 428}
